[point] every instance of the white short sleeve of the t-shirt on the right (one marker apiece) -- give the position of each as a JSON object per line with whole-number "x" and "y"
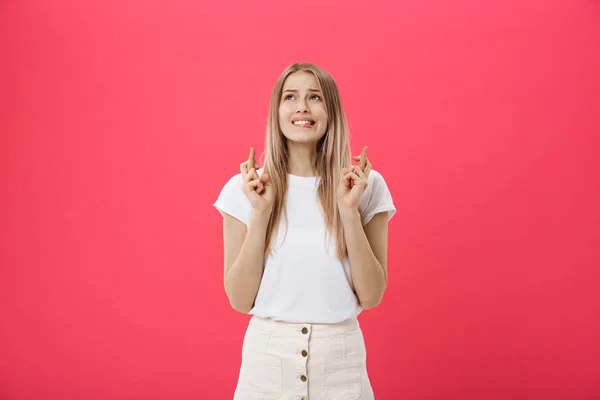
{"x": 376, "y": 198}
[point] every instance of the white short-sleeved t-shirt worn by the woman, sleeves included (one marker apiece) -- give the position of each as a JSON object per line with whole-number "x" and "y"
{"x": 303, "y": 281}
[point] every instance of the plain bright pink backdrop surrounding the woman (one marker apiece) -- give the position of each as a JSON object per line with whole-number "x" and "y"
{"x": 121, "y": 120}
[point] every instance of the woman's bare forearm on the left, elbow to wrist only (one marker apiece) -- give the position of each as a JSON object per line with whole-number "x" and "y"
{"x": 244, "y": 276}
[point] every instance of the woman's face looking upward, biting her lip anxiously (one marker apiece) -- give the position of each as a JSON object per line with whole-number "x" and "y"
{"x": 302, "y": 115}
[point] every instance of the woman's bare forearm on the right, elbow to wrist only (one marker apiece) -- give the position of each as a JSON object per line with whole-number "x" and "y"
{"x": 367, "y": 273}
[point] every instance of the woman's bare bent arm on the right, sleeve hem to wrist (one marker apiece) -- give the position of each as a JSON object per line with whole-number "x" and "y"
{"x": 367, "y": 254}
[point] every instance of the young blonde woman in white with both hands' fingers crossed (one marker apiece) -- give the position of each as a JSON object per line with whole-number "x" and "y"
{"x": 305, "y": 241}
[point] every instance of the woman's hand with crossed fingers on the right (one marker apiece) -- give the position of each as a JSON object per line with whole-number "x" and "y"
{"x": 353, "y": 182}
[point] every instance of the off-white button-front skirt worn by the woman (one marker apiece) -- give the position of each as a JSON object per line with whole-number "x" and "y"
{"x": 296, "y": 361}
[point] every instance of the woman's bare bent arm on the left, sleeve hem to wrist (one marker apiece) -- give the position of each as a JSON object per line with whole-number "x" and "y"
{"x": 244, "y": 259}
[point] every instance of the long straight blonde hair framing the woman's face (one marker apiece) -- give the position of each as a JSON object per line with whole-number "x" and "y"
{"x": 333, "y": 154}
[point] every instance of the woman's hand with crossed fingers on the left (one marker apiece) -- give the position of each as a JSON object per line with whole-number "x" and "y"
{"x": 257, "y": 189}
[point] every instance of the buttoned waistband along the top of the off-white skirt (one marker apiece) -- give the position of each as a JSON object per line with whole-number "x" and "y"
{"x": 294, "y": 328}
